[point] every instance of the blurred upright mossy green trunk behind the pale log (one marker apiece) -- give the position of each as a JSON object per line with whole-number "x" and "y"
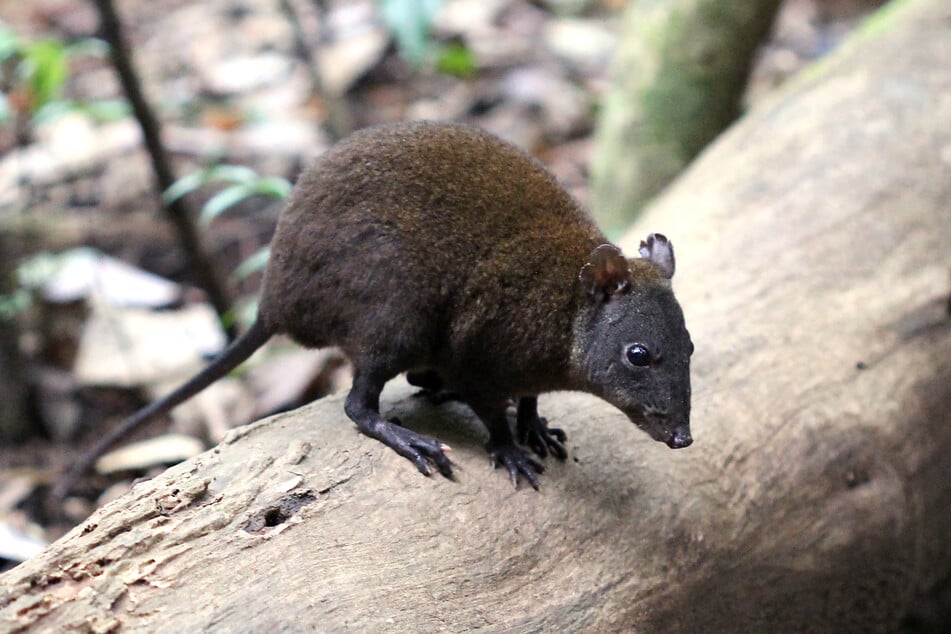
{"x": 679, "y": 76}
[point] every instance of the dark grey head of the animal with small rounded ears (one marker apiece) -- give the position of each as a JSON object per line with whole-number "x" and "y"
{"x": 631, "y": 345}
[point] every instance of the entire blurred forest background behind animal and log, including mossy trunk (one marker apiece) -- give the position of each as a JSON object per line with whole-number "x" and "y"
{"x": 146, "y": 149}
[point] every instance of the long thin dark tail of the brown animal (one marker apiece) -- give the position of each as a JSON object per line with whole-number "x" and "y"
{"x": 230, "y": 358}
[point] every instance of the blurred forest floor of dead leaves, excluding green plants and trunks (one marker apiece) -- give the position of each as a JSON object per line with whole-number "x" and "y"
{"x": 231, "y": 87}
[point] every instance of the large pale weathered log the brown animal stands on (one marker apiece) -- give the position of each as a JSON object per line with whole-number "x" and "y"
{"x": 813, "y": 244}
